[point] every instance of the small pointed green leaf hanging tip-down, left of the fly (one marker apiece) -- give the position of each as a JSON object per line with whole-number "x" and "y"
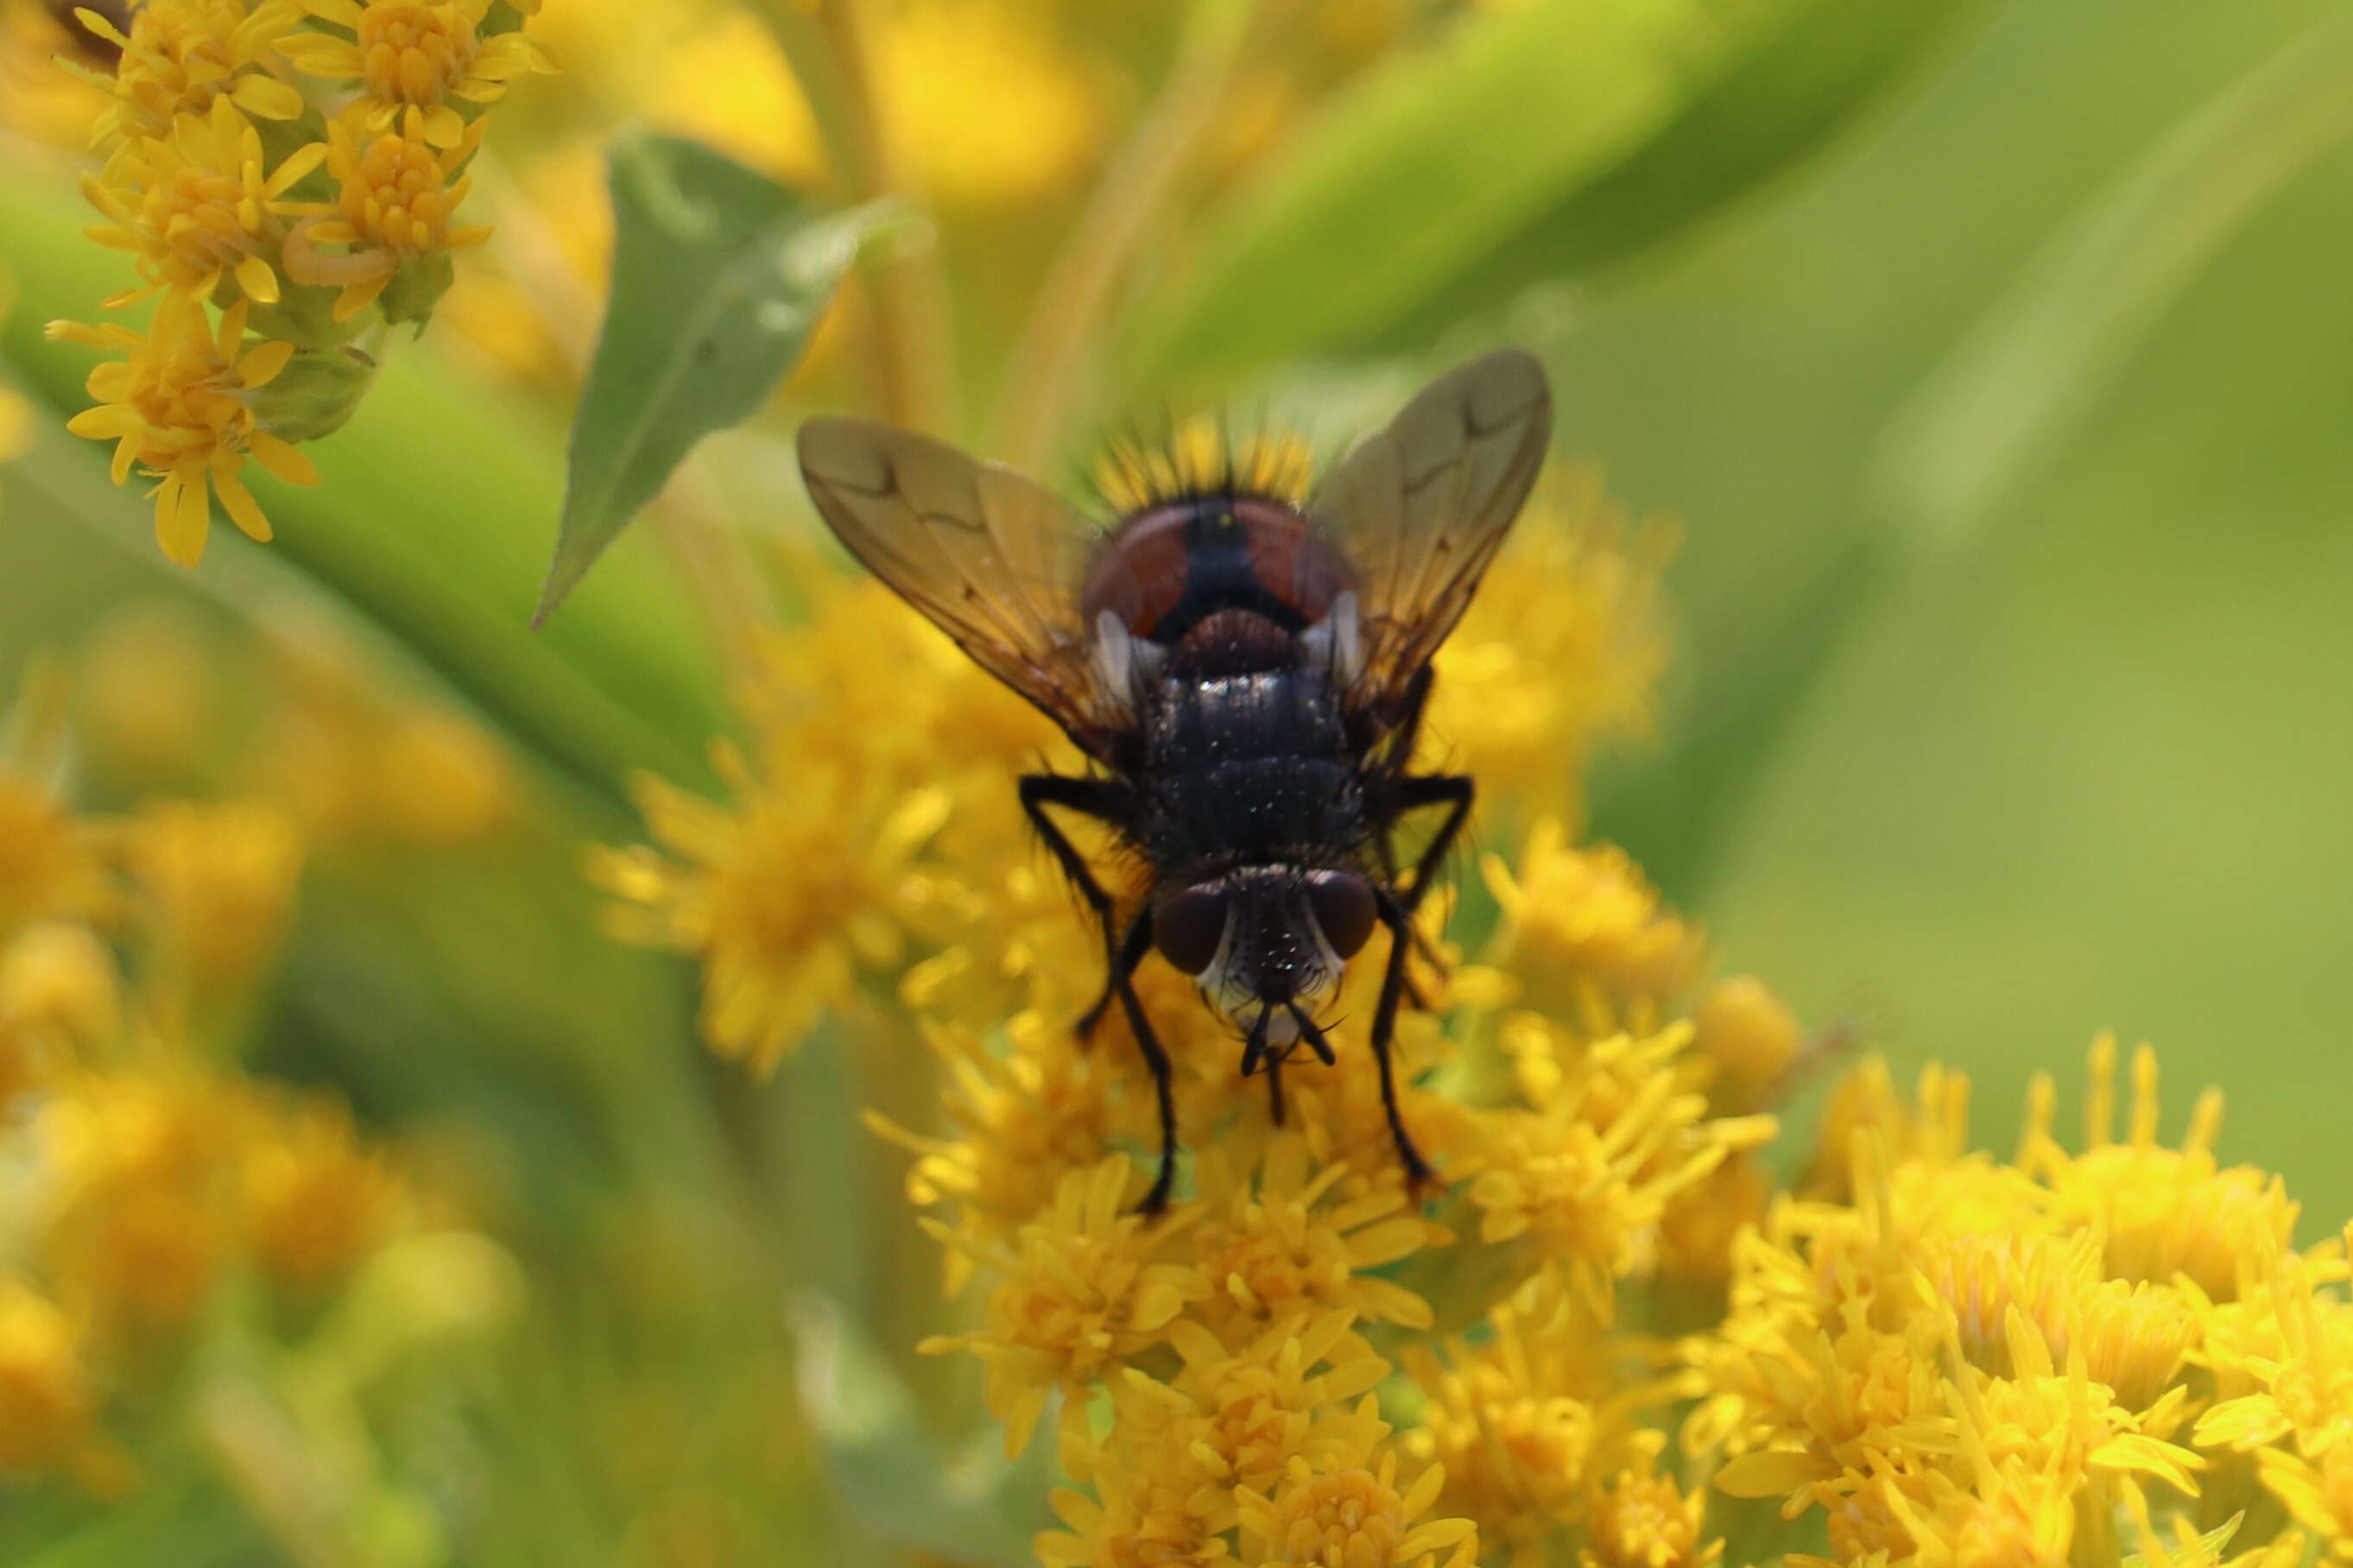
{"x": 719, "y": 279}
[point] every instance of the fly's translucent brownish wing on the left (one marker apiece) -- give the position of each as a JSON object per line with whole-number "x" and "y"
{"x": 992, "y": 559}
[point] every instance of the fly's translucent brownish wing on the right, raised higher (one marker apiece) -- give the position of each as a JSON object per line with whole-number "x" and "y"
{"x": 1422, "y": 507}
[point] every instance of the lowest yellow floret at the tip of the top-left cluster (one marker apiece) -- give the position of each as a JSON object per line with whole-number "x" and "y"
{"x": 180, "y": 411}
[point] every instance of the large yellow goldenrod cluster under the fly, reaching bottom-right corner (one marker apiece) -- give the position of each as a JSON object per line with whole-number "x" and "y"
{"x": 1615, "y": 1336}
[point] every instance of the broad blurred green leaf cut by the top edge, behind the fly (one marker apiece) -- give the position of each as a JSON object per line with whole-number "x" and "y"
{"x": 1535, "y": 145}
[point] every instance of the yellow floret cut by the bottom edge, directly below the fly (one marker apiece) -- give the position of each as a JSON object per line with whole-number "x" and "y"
{"x": 1345, "y": 1510}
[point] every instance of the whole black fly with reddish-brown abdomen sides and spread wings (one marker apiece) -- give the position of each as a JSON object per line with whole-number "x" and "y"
{"x": 1248, "y": 679}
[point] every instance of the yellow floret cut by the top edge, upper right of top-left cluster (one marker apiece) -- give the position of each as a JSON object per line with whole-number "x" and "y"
{"x": 415, "y": 55}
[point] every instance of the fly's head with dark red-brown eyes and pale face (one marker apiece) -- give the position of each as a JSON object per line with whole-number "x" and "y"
{"x": 1267, "y": 948}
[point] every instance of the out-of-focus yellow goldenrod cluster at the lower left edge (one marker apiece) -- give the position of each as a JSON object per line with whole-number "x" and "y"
{"x": 164, "y": 1214}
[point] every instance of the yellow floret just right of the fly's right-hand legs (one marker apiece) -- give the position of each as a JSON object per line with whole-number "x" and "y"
{"x": 1580, "y": 922}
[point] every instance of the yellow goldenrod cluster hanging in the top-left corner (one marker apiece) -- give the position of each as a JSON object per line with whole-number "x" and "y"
{"x": 286, "y": 175}
